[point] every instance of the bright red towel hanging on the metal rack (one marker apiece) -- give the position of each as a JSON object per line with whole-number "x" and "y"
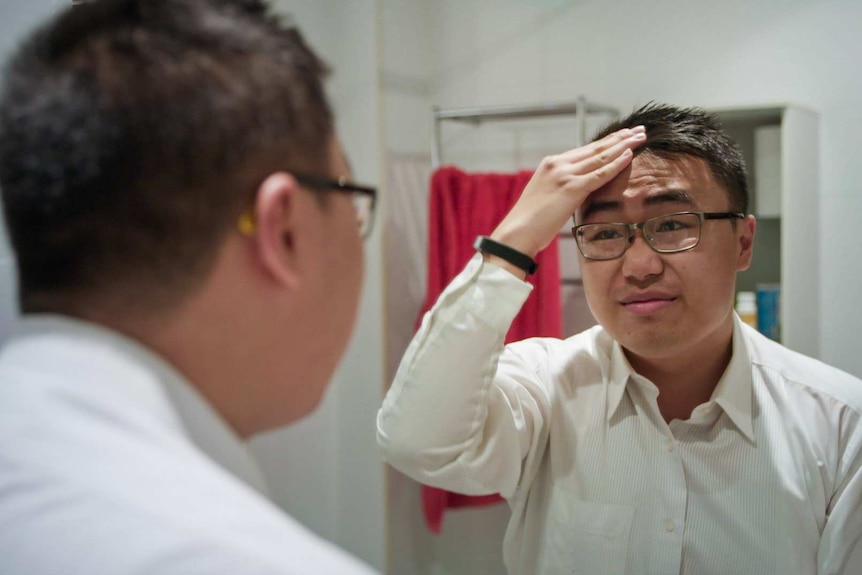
{"x": 463, "y": 206}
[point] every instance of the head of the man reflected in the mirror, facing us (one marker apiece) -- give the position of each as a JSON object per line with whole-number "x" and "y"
{"x": 678, "y": 303}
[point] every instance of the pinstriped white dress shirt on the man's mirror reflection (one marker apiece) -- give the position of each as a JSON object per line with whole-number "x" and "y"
{"x": 765, "y": 478}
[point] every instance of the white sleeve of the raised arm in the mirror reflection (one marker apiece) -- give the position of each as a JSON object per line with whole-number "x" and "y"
{"x": 464, "y": 412}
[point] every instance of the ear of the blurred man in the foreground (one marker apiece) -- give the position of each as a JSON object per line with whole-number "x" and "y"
{"x": 277, "y": 214}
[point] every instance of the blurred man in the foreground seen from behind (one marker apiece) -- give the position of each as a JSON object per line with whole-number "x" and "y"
{"x": 189, "y": 270}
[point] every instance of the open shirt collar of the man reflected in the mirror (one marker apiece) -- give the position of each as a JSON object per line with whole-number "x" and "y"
{"x": 732, "y": 393}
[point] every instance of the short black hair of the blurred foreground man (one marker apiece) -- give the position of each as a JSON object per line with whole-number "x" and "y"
{"x": 133, "y": 134}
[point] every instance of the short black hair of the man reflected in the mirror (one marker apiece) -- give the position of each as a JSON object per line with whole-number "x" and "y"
{"x": 673, "y": 131}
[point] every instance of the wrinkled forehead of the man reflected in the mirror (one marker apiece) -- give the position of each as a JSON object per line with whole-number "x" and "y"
{"x": 680, "y": 183}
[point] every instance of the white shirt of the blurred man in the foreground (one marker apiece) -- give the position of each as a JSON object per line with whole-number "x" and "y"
{"x": 101, "y": 475}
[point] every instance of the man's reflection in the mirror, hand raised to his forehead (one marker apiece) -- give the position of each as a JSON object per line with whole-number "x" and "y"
{"x": 670, "y": 438}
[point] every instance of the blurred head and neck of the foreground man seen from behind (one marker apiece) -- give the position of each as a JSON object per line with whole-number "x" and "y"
{"x": 134, "y": 135}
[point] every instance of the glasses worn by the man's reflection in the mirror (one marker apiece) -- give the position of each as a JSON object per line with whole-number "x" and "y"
{"x": 665, "y": 234}
